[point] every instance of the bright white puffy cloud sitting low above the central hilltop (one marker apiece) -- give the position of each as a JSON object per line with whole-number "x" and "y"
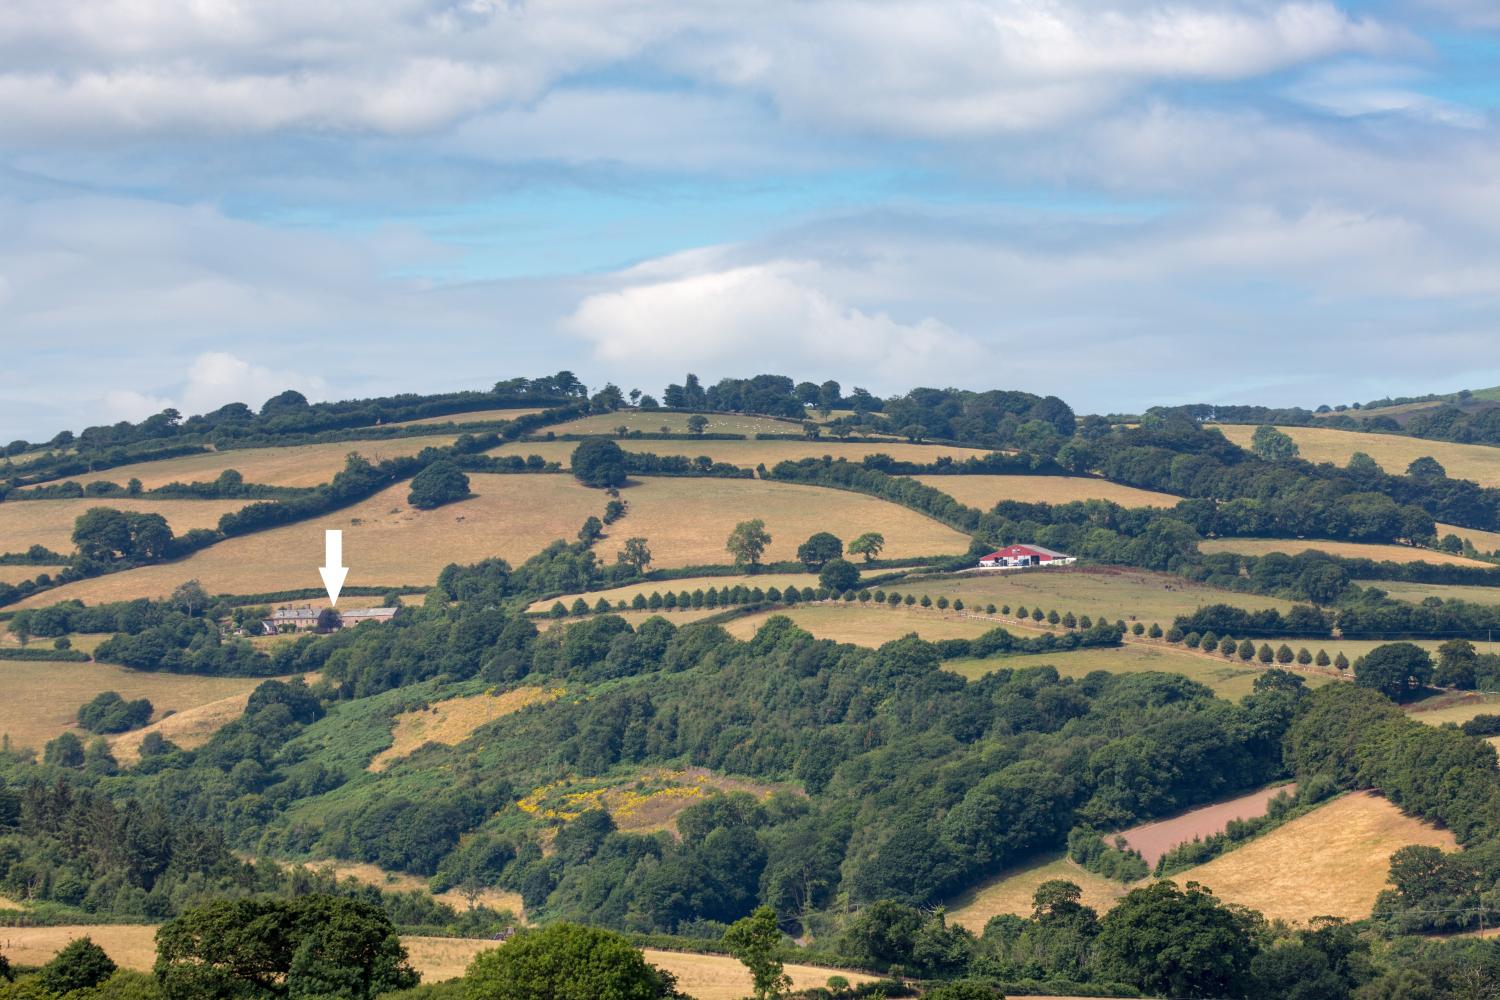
{"x": 761, "y": 317}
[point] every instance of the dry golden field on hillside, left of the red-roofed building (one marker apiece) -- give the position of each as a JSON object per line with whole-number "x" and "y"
{"x": 688, "y": 521}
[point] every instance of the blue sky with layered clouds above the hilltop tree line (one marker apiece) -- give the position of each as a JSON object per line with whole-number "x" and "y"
{"x": 1123, "y": 203}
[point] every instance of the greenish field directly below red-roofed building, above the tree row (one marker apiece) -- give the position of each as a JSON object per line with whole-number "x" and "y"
{"x": 1112, "y": 593}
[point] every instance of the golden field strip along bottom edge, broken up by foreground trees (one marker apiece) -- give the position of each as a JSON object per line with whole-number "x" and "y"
{"x": 437, "y": 959}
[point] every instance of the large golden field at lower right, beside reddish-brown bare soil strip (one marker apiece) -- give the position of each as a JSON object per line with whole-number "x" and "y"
{"x": 1330, "y": 863}
